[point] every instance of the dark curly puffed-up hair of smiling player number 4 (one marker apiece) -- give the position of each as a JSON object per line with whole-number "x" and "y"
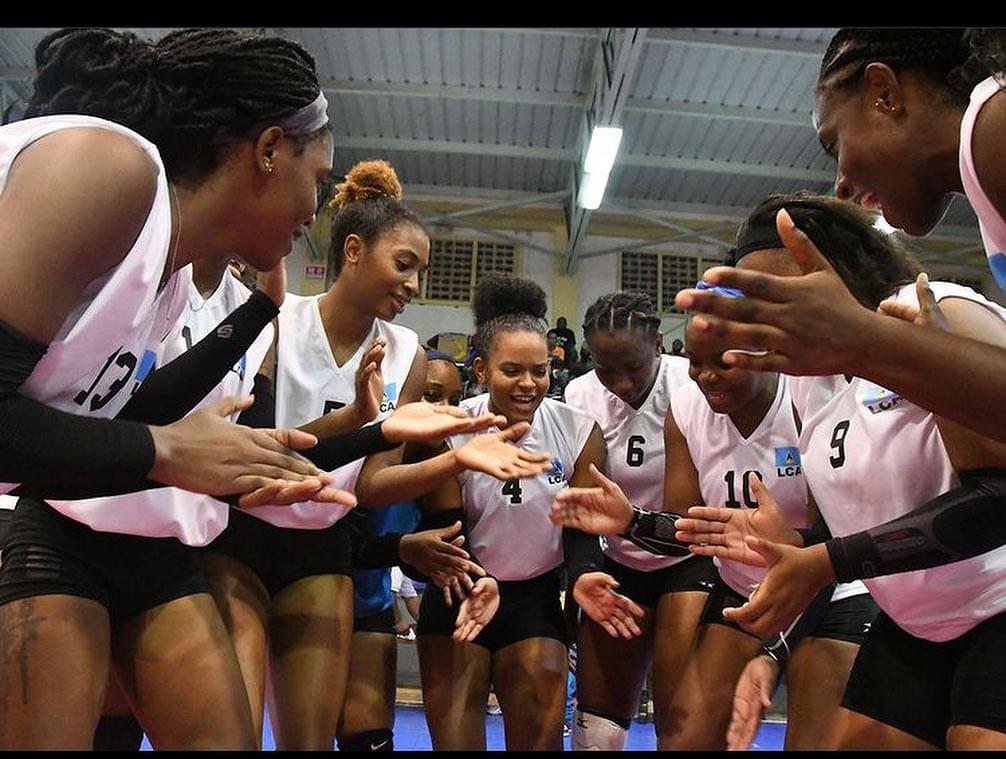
{"x": 505, "y": 303}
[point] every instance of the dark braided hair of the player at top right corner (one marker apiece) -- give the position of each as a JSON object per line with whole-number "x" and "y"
{"x": 956, "y": 59}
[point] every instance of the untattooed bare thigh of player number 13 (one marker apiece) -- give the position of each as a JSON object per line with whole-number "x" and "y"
{"x": 178, "y": 667}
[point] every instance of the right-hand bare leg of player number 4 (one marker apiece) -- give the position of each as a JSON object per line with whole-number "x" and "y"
{"x": 531, "y": 682}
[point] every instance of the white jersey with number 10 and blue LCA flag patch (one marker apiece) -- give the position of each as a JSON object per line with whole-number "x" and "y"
{"x": 724, "y": 460}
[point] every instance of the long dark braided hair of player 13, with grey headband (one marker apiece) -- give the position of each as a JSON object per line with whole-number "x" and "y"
{"x": 181, "y": 92}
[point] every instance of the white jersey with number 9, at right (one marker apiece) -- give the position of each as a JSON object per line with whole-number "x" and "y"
{"x": 872, "y": 457}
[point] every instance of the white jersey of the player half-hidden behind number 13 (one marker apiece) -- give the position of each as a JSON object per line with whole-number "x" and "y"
{"x": 194, "y": 519}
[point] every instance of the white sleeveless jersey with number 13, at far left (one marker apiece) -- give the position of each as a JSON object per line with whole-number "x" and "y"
{"x": 111, "y": 341}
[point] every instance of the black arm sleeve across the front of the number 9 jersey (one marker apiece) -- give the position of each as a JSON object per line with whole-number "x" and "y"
{"x": 962, "y": 524}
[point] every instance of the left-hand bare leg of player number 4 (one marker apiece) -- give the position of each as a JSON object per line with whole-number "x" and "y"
{"x": 455, "y": 689}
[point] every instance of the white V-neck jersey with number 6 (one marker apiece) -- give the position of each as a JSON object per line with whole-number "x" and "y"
{"x": 635, "y": 441}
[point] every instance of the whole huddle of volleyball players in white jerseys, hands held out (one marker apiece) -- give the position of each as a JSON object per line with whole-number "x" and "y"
{"x": 213, "y": 481}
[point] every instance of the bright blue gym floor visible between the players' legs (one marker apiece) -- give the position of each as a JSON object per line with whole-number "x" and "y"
{"x": 411, "y": 734}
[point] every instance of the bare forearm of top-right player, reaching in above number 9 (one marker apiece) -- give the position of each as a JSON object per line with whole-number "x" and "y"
{"x": 913, "y": 362}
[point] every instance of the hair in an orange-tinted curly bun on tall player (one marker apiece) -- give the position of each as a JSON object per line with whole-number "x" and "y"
{"x": 368, "y": 205}
